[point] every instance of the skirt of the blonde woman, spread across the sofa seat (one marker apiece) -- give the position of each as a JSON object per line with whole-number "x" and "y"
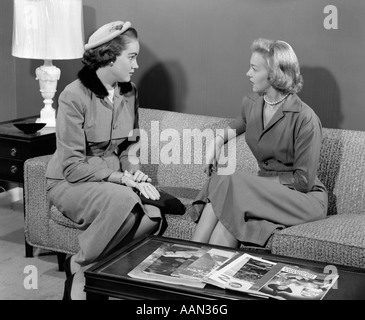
{"x": 252, "y": 207}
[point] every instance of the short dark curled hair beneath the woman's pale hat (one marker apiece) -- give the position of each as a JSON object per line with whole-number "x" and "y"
{"x": 108, "y": 52}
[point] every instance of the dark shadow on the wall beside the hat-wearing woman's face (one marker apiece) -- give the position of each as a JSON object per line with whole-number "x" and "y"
{"x": 162, "y": 85}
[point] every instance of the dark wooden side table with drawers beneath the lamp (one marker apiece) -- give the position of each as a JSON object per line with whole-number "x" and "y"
{"x": 16, "y": 147}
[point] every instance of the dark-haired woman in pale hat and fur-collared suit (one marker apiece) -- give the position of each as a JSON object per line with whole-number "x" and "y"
{"x": 93, "y": 174}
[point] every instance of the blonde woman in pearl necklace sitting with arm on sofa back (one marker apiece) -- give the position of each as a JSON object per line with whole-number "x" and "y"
{"x": 284, "y": 134}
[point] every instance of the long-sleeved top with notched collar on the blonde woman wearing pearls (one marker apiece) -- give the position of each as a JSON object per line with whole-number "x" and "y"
{"x": 289, "y": 146}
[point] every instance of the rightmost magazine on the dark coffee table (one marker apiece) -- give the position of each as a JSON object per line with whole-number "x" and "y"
{"x": 293, "y": 283}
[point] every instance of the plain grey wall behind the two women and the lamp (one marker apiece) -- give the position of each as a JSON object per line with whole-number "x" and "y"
{"x": 195, "y": 54}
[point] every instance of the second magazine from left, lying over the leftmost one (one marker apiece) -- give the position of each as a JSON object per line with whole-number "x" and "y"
{"x": 207, "y": 263}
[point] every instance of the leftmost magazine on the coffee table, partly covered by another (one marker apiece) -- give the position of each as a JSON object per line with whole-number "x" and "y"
{"x": 163, "y": 262}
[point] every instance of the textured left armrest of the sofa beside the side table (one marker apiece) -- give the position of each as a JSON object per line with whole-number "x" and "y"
{"x": 36, "y": 205}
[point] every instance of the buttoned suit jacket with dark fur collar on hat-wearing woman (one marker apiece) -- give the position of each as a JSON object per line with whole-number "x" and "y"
{"x": 93, "y": 134}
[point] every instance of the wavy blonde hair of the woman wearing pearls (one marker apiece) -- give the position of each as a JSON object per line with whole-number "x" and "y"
{"x": 282, "y": 63}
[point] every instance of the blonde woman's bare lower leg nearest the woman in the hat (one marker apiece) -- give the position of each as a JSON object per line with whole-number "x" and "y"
{"x": 206, "y": 224}
